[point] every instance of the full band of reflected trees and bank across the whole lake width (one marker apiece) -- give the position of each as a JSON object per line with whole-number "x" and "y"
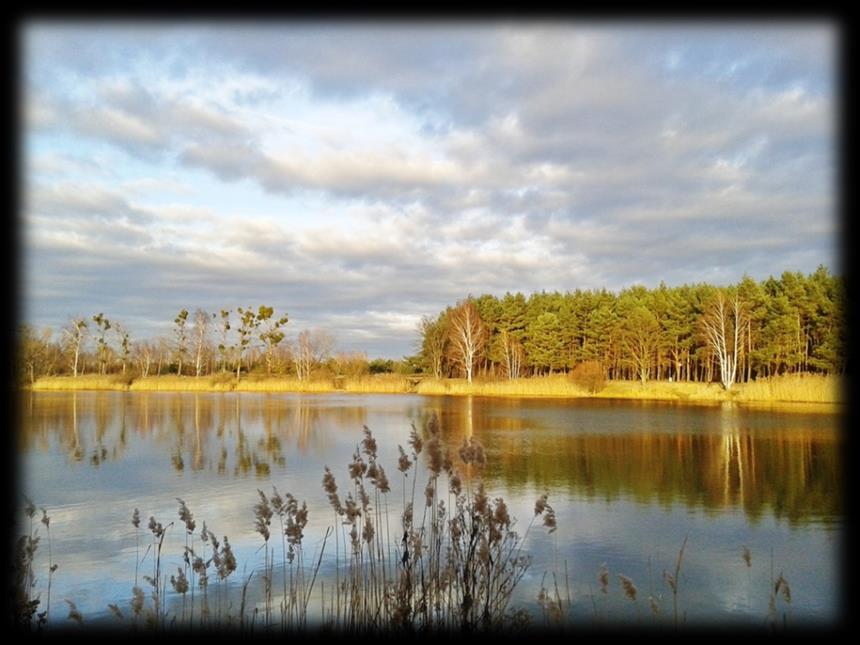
{"x": 710, "y": 457}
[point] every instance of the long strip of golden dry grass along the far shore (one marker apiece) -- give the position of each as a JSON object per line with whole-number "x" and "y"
{"x": 790, "y": 388}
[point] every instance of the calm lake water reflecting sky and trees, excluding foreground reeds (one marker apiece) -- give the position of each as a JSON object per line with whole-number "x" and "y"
{"x": 629, "y": 480}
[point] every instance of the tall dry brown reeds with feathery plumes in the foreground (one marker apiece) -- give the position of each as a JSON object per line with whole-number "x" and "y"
{"x": 451, "y": 562}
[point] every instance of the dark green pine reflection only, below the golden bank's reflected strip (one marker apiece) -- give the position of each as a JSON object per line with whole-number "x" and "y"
{"x": 796, "y": 476}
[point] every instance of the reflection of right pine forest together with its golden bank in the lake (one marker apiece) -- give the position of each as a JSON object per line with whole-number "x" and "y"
{"x": 789, "y": 468}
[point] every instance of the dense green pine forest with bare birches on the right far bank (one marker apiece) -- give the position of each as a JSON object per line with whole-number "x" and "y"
{"x": 694, "y": 332}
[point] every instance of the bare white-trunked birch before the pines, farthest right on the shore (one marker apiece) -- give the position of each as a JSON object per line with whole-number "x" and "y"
{"x": 724, "y": 325}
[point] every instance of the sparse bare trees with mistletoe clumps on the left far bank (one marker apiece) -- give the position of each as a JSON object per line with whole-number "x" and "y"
{"x": 226, "y": 342}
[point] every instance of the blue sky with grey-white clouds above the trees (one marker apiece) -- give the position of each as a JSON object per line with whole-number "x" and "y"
{"x": 360, "y": 175}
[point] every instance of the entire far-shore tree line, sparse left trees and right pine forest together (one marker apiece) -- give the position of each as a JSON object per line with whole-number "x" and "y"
{"x": 694, "y": 332}
